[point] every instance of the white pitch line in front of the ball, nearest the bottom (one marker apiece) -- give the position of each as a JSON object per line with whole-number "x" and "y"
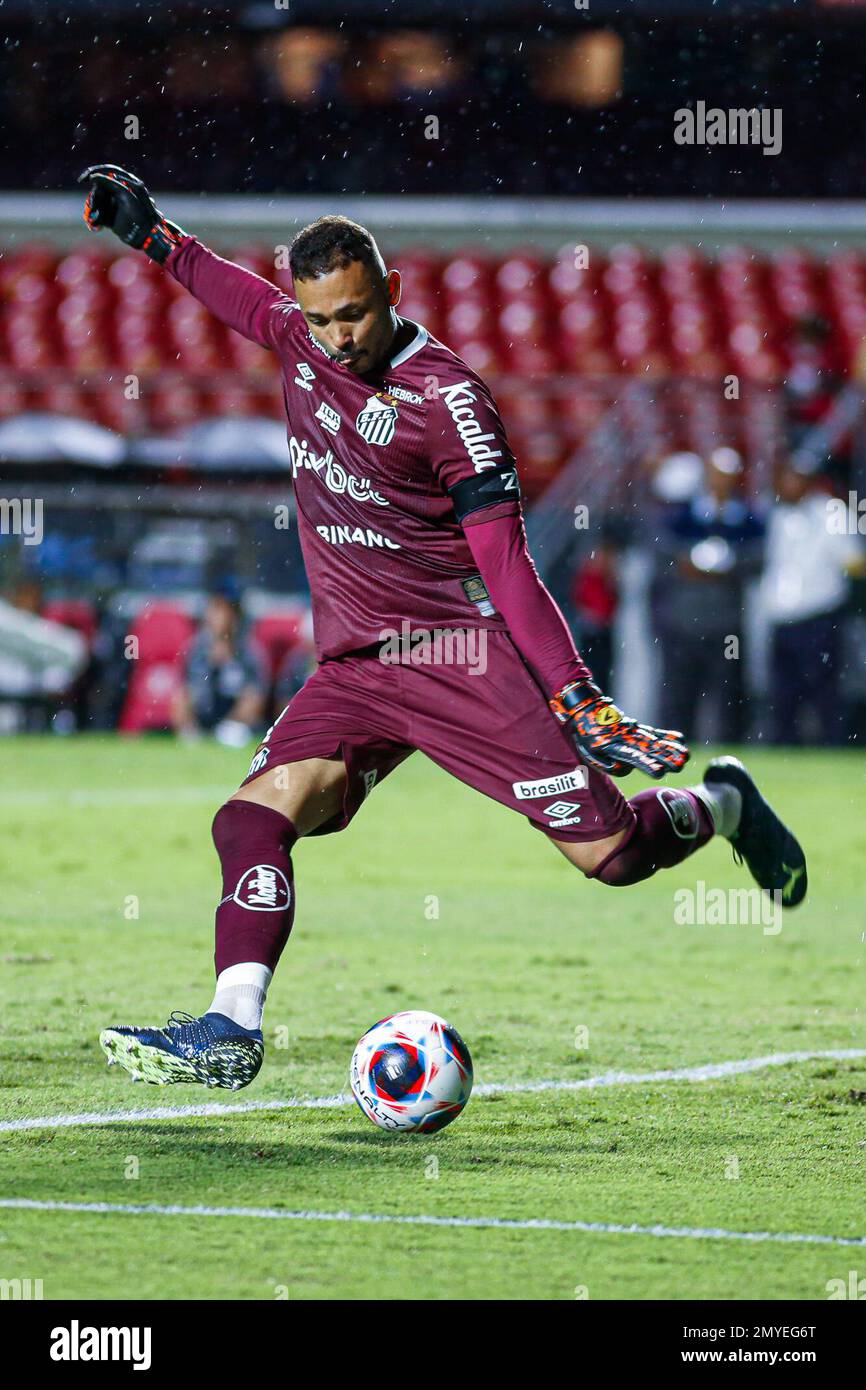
{"x": 473, "y": 1223}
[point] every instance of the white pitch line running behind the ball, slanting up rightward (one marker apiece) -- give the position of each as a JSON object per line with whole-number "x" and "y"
{"x": 708, "y": 1072}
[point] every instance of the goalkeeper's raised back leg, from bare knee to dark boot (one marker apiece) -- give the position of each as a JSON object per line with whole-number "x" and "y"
{"x": 671, "y": 824}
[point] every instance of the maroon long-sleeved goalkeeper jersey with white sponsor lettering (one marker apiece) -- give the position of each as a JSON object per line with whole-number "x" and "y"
{"x": 372, "y": 461}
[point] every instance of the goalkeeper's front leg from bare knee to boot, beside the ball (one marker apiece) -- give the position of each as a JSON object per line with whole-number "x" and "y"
{"x": 254, "y": 833}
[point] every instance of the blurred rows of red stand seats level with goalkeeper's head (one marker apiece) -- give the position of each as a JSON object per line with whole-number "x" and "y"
{"x": 90, "y": 318}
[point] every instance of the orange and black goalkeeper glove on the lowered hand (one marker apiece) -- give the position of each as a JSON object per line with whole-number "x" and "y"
{"x": 612, "y": 743}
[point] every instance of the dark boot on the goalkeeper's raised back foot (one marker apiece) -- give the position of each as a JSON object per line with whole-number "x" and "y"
{"x": 772, "y": 854}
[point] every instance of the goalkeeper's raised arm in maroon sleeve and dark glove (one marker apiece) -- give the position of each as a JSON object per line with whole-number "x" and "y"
{"x": 237, "y": 297}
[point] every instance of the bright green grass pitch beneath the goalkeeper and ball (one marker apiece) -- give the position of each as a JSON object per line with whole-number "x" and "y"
{"x": 434, "y": 899}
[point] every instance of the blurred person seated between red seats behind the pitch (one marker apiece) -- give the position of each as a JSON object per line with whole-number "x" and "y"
{"x": 224, "y": 690}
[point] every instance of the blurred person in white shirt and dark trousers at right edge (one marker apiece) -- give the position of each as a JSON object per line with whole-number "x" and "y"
{"x": 806, "y": 591}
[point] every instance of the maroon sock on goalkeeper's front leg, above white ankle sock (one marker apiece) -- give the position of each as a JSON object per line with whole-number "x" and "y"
{"x": 258, "y": 908}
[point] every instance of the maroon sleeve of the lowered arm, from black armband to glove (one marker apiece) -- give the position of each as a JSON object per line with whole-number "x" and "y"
{"x": 536, "y": 623}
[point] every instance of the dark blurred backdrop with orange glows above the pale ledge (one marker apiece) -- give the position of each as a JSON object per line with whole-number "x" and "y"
{"x": 533, "y": 99}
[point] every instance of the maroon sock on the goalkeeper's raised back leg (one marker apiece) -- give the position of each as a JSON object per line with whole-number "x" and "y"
{"x": 671, "y": 825}
